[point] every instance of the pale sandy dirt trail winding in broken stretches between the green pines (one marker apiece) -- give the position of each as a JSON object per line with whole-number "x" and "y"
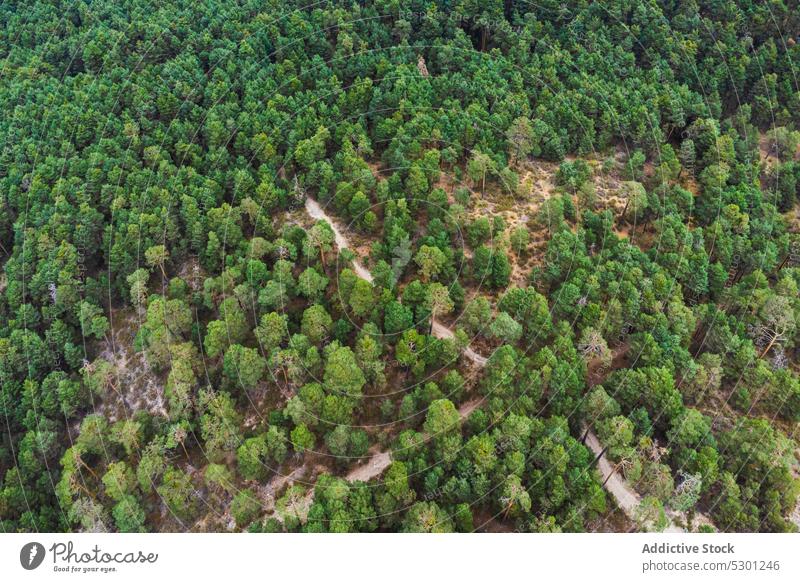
{"x": 625, "y": 496}
